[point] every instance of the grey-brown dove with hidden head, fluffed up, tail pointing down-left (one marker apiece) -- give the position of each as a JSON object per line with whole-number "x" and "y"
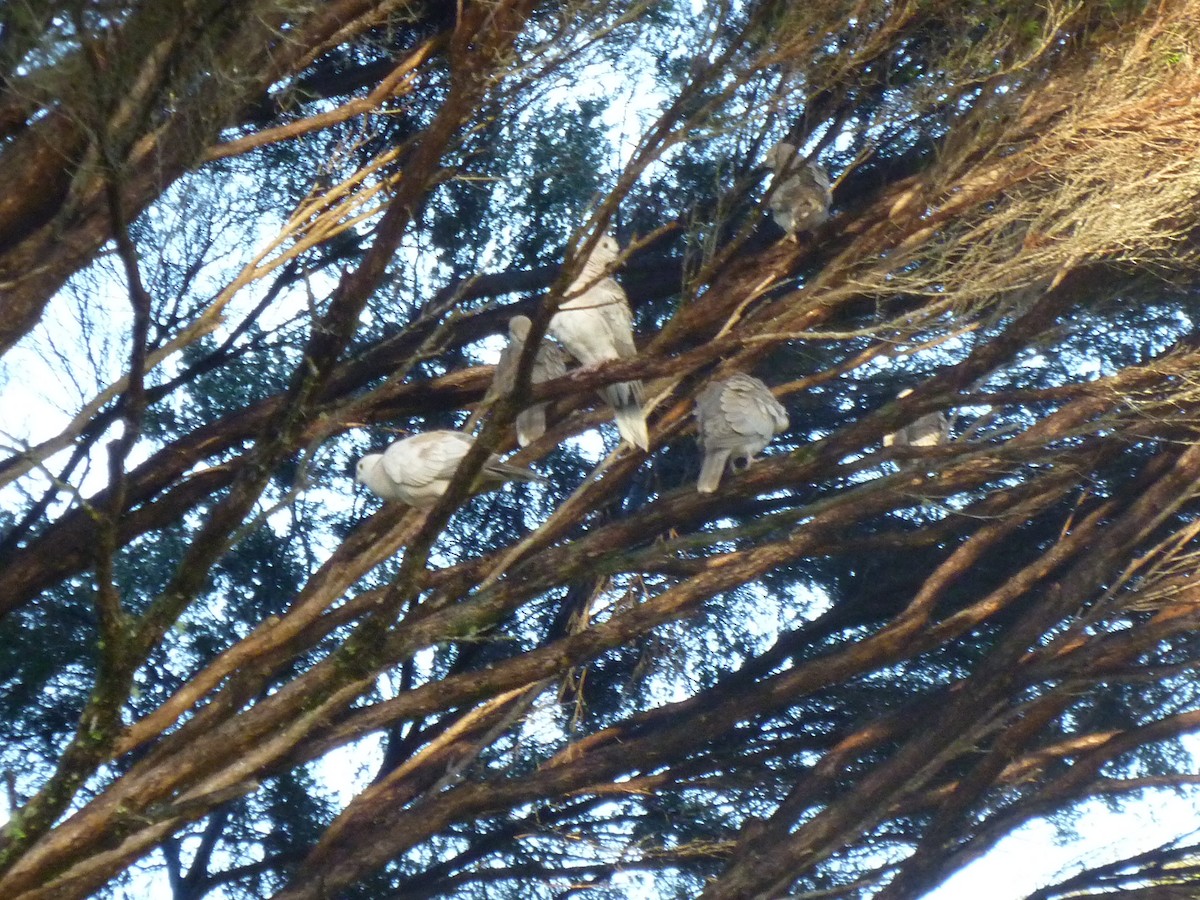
{"x": 737, "y": 418}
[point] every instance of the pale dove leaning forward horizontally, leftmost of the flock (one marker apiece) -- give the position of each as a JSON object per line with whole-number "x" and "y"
{"x": 418, "y": 470}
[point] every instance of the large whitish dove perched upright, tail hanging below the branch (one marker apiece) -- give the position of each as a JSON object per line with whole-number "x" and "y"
{"x": 596, "y": 326}
